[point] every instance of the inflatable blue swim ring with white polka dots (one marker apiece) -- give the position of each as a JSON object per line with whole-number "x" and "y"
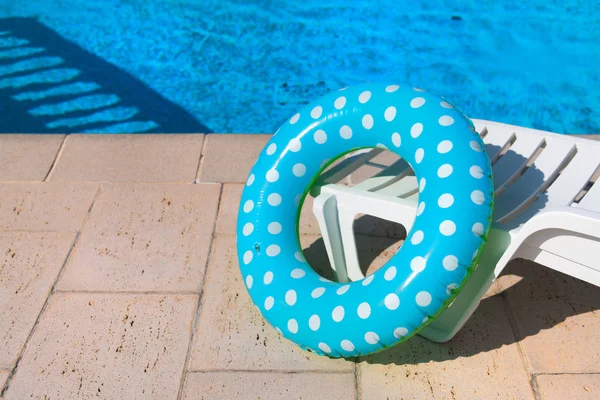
{"x": 452, "y": 219}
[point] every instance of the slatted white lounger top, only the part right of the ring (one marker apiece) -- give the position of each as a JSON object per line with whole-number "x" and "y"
{"x": 535, "y": 169}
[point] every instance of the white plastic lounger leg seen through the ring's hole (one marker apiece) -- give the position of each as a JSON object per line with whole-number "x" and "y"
{"x": 326, "y": 213}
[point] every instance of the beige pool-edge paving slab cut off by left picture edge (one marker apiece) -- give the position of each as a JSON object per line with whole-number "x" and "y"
{"x": 27, "y": 157}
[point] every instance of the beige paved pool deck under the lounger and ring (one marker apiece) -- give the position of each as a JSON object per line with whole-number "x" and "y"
{"x": 119, "y": 280}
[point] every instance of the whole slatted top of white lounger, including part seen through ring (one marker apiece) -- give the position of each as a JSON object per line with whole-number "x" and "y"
{"x": 532, "y": 170}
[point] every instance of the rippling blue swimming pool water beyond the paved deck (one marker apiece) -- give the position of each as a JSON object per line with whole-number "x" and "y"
{"x": 230, "y": 66}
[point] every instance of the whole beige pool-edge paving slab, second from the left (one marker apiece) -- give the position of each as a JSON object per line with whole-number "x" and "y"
{"x": 131, "y": 158}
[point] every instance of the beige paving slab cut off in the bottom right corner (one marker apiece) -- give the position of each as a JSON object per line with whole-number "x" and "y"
{"x": 560, "y": 387}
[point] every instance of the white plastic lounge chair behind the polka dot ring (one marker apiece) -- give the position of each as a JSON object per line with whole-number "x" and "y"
{"x": 546, "y": 210}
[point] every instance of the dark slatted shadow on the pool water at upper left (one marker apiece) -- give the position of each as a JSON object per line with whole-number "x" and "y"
{"x": 51, "y": 85}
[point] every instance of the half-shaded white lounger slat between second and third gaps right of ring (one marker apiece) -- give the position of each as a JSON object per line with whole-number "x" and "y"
{"x": 535, "y": 179}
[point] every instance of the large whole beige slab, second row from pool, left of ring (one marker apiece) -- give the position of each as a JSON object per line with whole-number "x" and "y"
{"x": 144, "y": 237}
